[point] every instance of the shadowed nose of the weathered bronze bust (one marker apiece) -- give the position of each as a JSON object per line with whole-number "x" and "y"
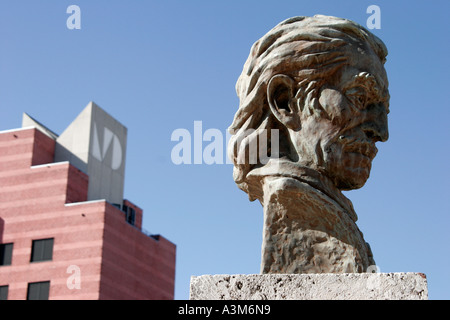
{"x": 376, "y": 125}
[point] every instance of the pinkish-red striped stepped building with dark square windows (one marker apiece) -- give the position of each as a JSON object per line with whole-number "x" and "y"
{"x": 56, "y": 243}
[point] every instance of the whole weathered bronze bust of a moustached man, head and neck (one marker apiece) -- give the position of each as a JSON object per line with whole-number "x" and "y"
{"x": 316, "y": 88}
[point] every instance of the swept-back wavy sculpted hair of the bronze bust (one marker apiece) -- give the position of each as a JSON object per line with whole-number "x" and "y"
{"x": 310, "y": 50}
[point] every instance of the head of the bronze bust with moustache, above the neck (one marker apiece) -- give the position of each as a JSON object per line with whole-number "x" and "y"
{"x": 320, "y": 81}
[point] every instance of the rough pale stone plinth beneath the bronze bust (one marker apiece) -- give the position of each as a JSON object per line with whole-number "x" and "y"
{"x": 346, "y": 286}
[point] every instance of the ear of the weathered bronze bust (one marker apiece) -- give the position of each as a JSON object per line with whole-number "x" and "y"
{"x": 280, "y": 96}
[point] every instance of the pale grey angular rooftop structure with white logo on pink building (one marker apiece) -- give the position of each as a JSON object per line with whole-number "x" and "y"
{"x": 95, "y": 143}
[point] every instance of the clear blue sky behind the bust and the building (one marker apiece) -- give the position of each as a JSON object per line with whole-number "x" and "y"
{"x": 157, "y": 66}
